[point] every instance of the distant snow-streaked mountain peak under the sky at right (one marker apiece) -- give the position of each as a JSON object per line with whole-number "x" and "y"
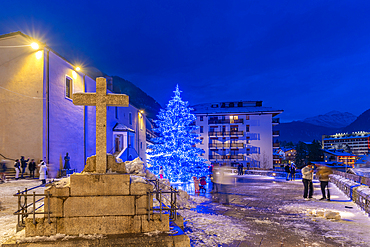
{"x": 333, "y": 119}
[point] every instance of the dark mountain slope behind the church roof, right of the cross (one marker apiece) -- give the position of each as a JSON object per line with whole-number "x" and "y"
{"x": 138, "y": 98}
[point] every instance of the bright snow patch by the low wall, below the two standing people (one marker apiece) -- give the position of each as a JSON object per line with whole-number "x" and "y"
{"x": 354, "y": 223}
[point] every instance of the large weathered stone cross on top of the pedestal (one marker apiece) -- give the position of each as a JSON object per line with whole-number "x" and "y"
{"x": 101, "y": 100}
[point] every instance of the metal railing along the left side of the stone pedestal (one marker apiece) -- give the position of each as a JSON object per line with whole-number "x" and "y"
{"x": 25, "y": 209}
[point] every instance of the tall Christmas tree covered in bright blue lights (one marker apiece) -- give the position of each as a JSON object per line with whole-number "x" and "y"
{"x": 174, "y": 149}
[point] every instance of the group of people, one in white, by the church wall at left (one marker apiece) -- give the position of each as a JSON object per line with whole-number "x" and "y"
{"x": 21, "y": 164}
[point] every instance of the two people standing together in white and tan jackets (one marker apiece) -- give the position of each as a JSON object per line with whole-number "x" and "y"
{"x": 322, "y": 173}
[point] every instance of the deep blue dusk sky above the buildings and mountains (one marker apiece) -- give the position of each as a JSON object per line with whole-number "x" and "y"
{"x": 304, "y": 57}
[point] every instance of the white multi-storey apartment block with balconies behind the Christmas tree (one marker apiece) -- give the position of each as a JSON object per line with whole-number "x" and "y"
{"x": 237, "y": 132}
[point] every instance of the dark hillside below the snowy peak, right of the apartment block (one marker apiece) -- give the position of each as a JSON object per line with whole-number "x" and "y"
{"x": 299, "y": 131}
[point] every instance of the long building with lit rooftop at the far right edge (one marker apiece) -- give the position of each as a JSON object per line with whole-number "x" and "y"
{"x": 357, "y": 142}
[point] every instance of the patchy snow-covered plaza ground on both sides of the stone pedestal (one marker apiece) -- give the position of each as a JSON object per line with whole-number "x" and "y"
{"x": 225, "y": 224}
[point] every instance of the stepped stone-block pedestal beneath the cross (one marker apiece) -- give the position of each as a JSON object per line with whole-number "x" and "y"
{"x": 98, "y": 204}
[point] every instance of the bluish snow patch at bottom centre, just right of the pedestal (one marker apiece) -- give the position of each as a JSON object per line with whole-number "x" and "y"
{"x": 212, "y": 230}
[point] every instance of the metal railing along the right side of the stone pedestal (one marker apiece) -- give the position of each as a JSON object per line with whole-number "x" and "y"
{"x": 165, "y": 203}
